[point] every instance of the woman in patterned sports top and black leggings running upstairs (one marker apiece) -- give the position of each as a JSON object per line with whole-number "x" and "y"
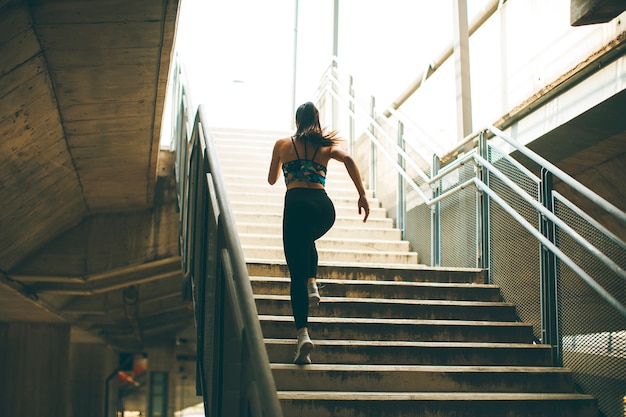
{"x": 308, "y": 212}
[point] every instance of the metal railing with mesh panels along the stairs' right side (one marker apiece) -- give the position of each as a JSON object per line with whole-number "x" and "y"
{"x": 492, "y": 203}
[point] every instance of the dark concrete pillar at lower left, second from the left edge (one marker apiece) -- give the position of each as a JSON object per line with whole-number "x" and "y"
{"x": 90, "y": 364}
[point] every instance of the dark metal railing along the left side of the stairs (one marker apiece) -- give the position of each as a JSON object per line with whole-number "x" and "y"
{"x": 233, "y": 372}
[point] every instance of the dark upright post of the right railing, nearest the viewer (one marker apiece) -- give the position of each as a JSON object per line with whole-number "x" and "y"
{"x": 549, "y": 299}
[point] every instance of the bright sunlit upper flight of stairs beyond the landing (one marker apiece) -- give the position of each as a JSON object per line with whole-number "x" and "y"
{"x": 258, "y": 208}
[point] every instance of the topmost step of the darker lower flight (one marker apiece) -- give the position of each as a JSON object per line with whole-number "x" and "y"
{"x": 361, "y": 272}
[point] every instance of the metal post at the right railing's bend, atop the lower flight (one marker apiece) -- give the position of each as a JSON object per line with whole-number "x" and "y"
{"x": 483, "y": 207}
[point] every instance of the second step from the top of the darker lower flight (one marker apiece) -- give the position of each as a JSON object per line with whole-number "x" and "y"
{"x": 391, "y": 290}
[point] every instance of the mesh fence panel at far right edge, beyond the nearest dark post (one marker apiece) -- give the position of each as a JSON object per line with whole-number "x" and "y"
{"x": 593, "y": 332}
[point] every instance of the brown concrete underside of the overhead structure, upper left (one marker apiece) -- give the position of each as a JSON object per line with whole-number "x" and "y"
{"x": 88, "y": 219}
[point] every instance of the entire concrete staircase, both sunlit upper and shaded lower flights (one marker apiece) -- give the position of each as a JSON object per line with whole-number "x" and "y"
{"x": 393, "y": 338}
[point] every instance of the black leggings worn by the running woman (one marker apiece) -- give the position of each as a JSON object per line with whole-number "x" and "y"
{"x": 308, "y": 214}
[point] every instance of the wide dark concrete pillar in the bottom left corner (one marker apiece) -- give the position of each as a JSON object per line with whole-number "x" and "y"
{"x": 34, "y": 369}
